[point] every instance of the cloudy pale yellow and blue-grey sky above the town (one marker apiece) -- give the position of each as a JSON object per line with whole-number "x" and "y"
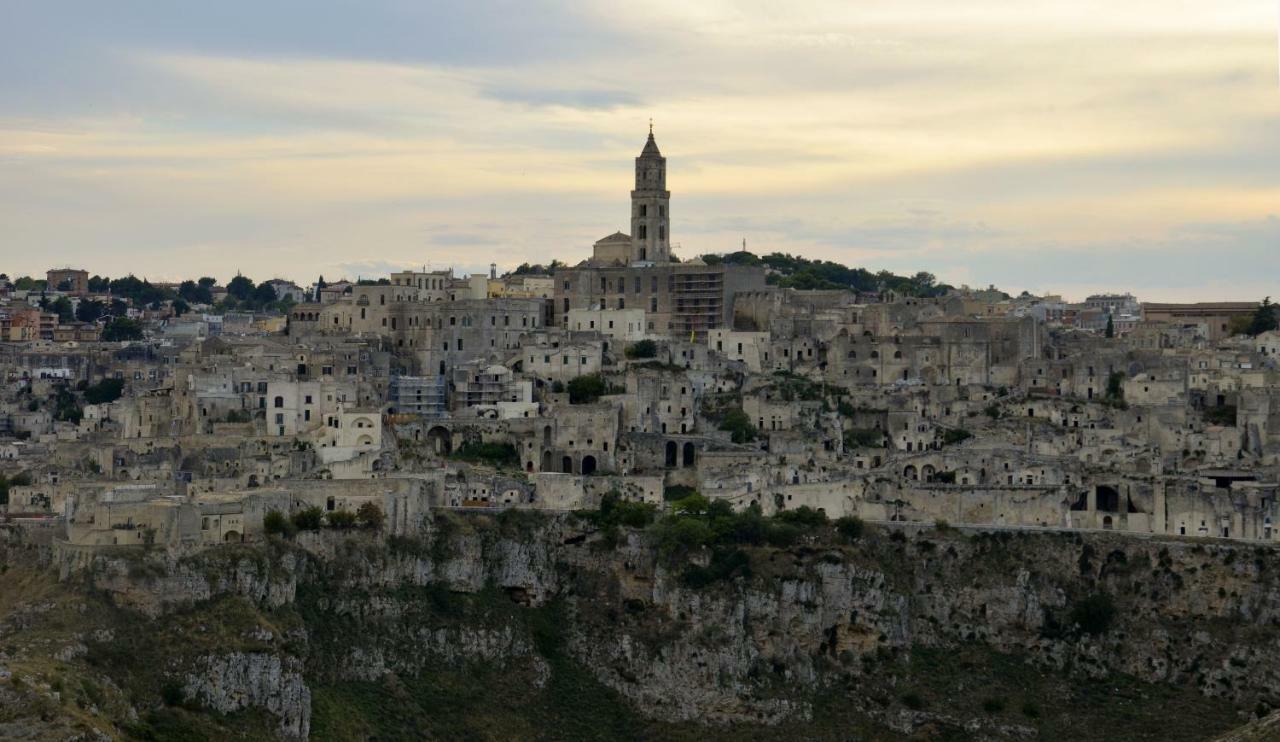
{"x": 1054, "y": 146}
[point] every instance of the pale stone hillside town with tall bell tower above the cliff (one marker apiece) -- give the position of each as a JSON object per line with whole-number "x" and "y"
{"x": 638, "y": 374}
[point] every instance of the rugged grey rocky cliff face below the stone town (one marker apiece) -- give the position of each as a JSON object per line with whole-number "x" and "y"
{"x": 811, "y": 624}
